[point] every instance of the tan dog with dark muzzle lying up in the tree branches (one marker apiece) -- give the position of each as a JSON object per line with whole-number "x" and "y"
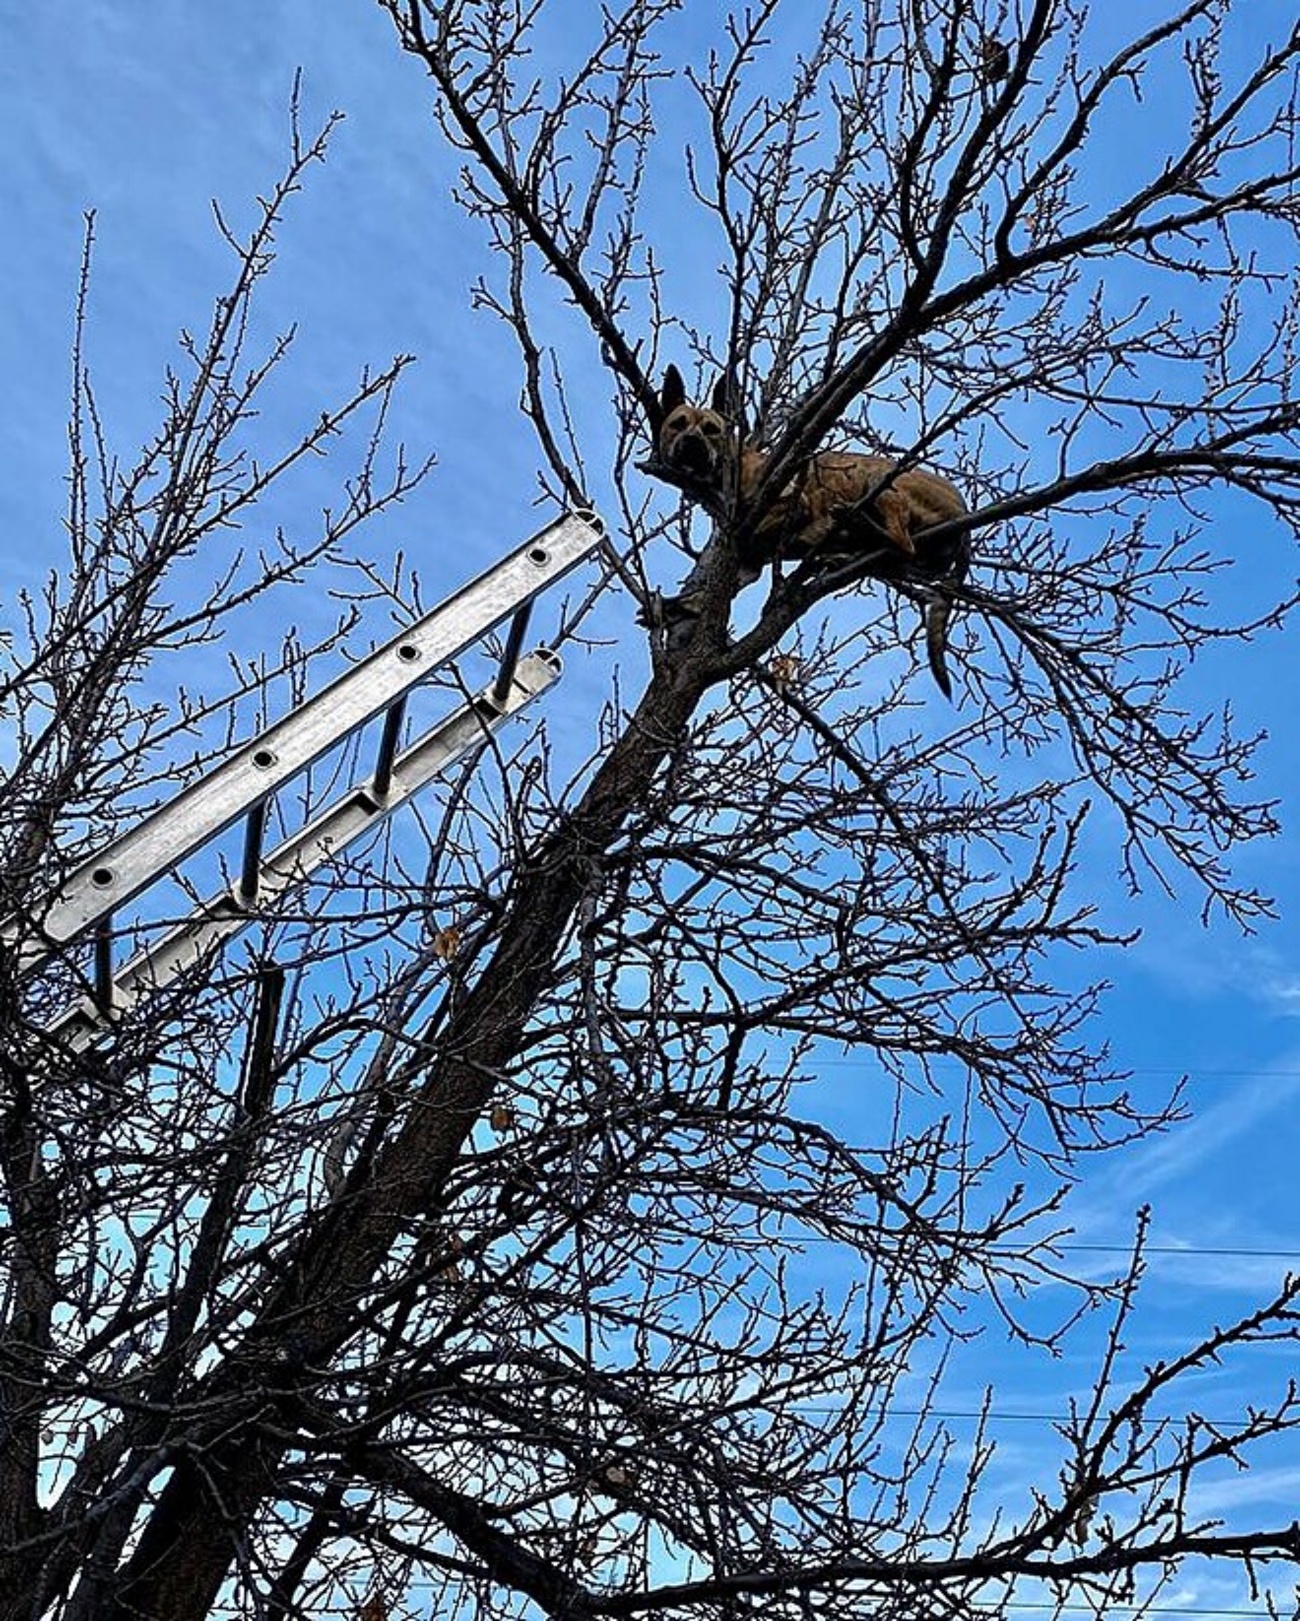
{"x": 839, "y": 505}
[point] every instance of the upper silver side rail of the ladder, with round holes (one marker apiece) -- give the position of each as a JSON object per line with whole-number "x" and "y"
{"x": 260, "y": 768}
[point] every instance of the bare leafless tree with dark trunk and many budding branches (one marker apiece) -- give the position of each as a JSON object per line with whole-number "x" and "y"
{"x": 541, "y": 1340}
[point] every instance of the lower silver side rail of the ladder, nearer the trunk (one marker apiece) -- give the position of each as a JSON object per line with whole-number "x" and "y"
{"x": 299, "y": 857}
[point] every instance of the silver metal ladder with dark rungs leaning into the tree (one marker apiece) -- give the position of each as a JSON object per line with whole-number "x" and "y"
{"x": 246, "y": 784}
